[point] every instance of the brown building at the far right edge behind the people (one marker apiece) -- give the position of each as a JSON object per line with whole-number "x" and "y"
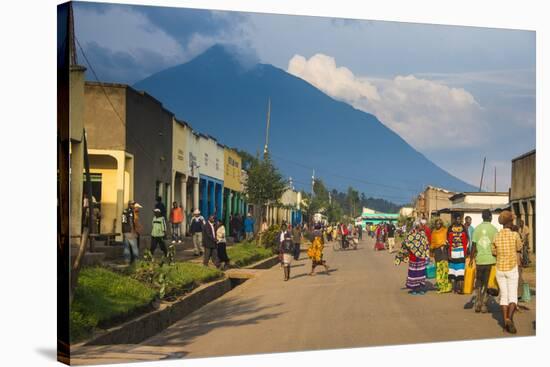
{"x": 523, "y": 192}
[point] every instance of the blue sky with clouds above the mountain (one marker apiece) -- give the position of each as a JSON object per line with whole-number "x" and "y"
{"x": 456, "y": 94}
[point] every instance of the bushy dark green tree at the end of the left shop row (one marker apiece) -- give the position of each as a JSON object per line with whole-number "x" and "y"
{"x": 265, "y": 185}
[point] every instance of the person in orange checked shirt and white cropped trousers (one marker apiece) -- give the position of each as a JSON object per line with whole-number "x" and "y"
{"x": 506, "y": 245}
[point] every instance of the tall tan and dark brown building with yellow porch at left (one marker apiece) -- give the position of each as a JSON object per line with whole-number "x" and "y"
{"x": 130, "y": 138}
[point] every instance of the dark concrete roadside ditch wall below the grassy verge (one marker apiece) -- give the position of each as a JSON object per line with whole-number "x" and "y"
{"x": 144, "y": 327}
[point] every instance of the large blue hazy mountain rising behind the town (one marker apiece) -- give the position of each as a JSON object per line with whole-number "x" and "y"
{"x": 222, "y": 95}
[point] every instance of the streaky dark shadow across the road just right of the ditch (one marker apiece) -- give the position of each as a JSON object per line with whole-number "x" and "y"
{"x": 224, "y": 313}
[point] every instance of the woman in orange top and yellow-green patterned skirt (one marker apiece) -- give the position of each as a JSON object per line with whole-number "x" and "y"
{"x": 438, "y": 248}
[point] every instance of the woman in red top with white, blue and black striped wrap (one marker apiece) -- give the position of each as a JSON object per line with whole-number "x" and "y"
{"x": 458, "y": 248}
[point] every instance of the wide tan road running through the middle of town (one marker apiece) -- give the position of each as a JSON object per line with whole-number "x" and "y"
{"x": 361, "y": 302}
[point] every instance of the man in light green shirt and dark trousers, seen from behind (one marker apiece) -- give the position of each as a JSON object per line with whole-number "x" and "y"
{"x": 482, "y": 240}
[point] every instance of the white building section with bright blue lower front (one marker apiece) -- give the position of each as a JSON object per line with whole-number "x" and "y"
{"x": 211, "y": 174}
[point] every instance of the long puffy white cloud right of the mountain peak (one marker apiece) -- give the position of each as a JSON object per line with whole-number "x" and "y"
{"x": 427, "y": 114}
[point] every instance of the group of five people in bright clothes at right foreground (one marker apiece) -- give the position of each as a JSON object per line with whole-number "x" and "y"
{"x": 500, "y": 254}
